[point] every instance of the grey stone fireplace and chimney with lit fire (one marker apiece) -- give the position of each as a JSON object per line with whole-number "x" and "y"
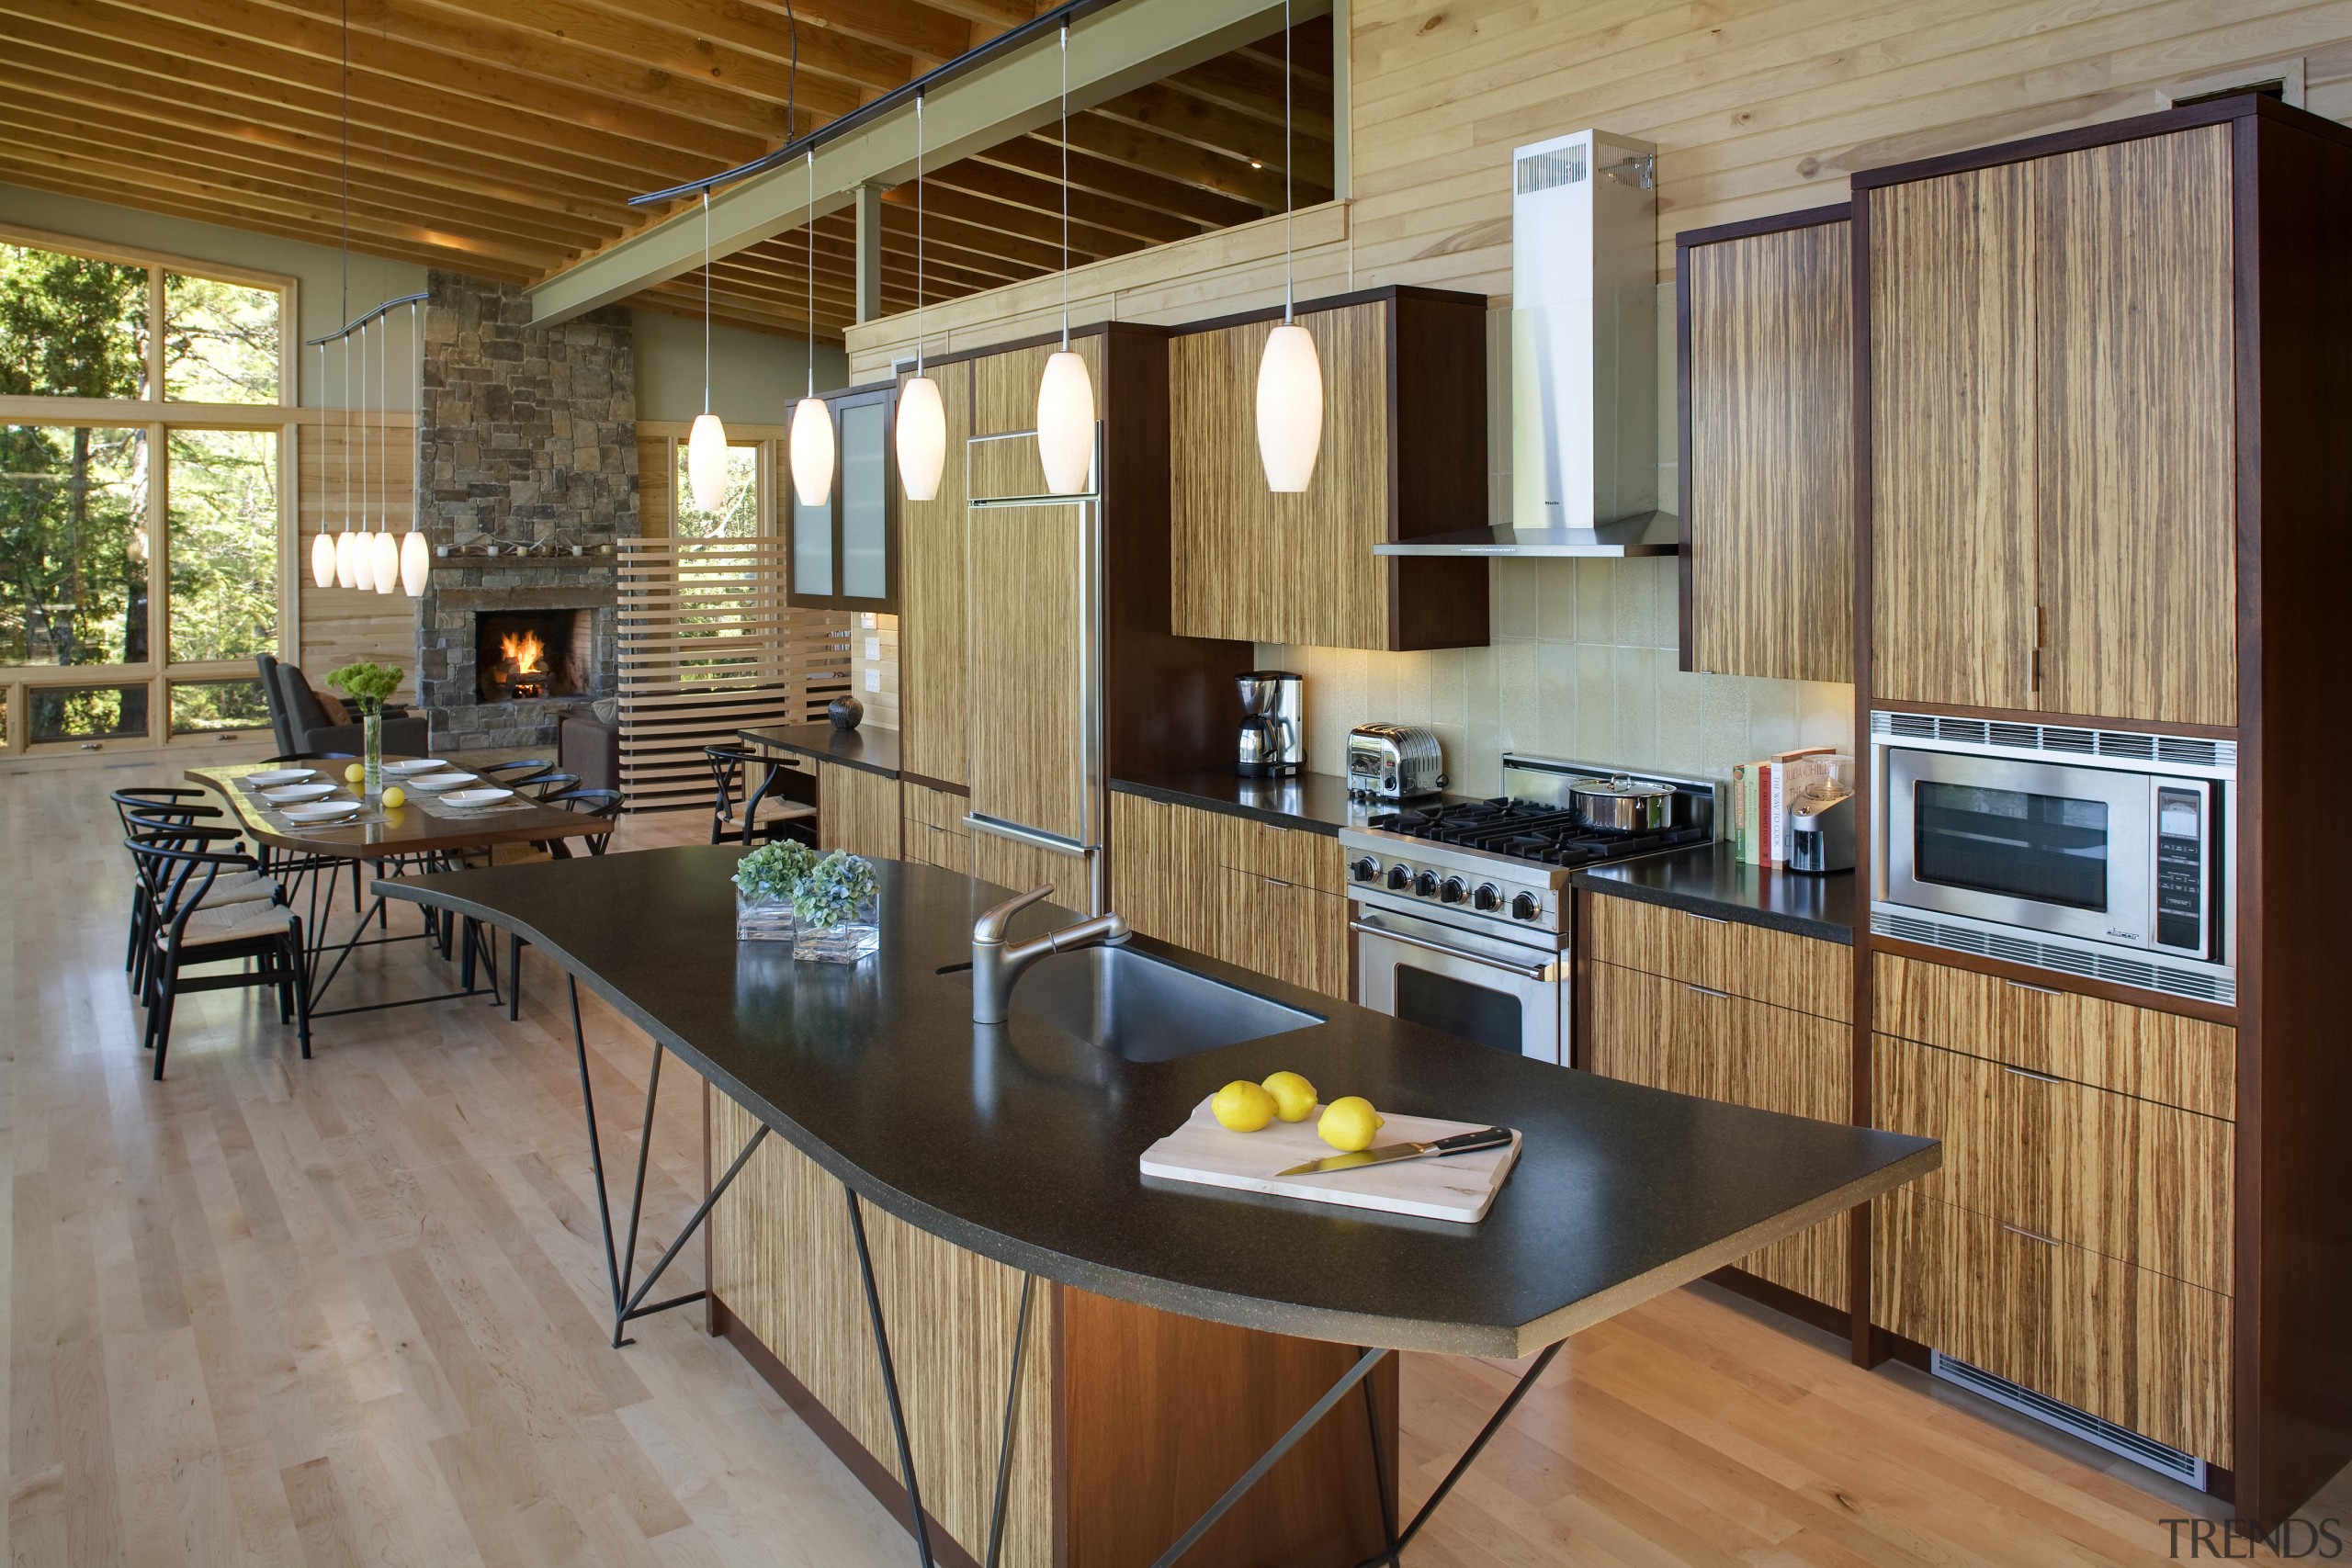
{"x": 528, "y": 471}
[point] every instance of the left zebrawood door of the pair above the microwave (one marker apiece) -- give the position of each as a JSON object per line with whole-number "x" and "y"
{"x": 1953, "y": 438}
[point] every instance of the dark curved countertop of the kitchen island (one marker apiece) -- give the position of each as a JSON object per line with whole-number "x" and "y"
{"x": 1022, "y": 1144}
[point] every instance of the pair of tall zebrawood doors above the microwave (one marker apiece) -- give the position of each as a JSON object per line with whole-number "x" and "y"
{"x": 2052, "y": 434}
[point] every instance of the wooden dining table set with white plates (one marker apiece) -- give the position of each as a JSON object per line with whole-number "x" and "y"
{"x": 427, "y": 833}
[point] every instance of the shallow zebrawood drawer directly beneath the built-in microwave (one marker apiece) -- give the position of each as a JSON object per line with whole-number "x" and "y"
{"x": 2090, "y": 1040}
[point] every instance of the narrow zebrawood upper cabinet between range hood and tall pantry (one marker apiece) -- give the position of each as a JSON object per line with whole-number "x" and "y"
{"x": 1768, "y": 462}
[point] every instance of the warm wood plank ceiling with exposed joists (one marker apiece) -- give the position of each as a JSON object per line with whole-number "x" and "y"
{"x": 507, "y": 140}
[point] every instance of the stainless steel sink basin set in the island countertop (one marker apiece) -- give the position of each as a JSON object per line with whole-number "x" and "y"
{"x": 1144, "y": 1010}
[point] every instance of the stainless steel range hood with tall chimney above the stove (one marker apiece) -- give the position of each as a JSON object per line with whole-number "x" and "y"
{"x": 1584, "y": 359}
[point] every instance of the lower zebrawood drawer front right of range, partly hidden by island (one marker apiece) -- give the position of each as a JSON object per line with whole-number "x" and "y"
{"x": 1669, "y": 1036}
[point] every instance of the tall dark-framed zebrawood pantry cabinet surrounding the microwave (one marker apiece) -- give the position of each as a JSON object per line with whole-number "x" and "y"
{"x": 2102, "y": 483}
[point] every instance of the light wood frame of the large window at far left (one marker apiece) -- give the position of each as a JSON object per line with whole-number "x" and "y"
{"x": 159, "y": 417}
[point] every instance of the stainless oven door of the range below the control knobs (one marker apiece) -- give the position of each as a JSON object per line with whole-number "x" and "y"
{"x": 1459, "y": 981}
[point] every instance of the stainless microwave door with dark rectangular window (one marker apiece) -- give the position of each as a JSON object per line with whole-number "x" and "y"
{"x": 2036, "y": 845}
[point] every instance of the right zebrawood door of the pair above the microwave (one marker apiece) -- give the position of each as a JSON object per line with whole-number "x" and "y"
{"x": 2139, "y": 429}
